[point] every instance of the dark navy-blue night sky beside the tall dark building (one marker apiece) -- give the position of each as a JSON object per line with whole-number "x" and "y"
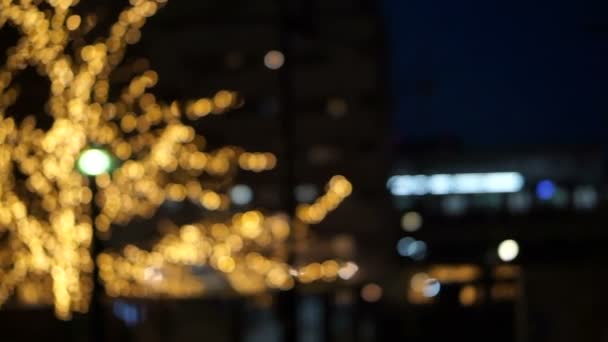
{"x": 502, "y": 72}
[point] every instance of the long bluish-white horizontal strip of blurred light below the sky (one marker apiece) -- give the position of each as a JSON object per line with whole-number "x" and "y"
{"x": 463, "y": 183}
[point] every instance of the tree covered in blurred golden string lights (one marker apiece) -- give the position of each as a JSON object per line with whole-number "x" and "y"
{"x": 46, "y": 219}
